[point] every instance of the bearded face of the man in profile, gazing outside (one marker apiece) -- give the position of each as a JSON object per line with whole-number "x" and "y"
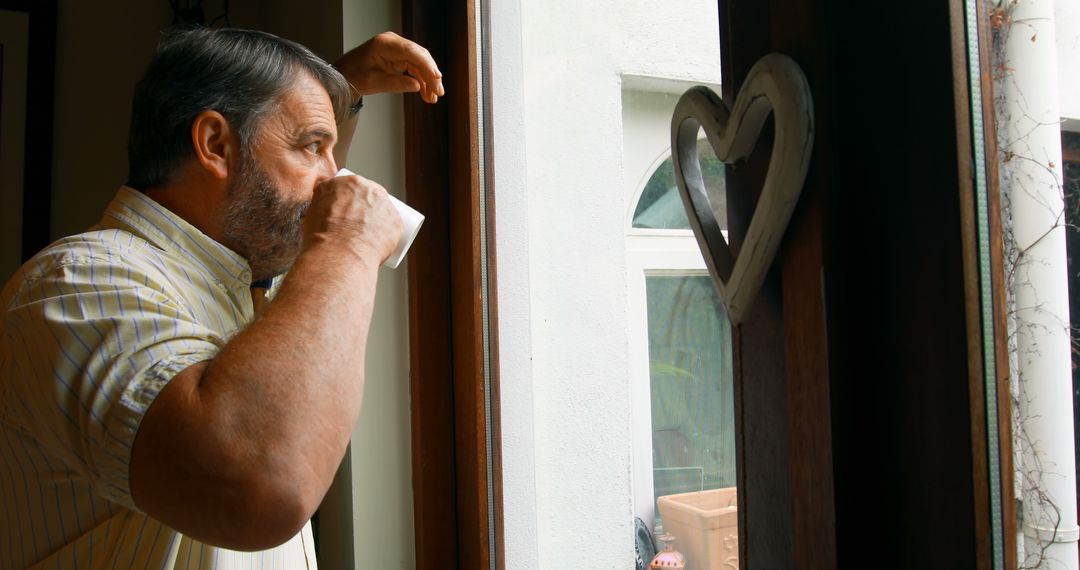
{"x": 276, "y": 178}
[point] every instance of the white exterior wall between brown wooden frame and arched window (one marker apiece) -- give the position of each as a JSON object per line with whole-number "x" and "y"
{"x": 562, "y": 248}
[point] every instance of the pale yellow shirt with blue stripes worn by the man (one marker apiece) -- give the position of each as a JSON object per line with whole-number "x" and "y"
{"x": 92, "y": 329}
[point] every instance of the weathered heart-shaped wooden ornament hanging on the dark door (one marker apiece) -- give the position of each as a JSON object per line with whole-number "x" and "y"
{"x": 775, "y": 85}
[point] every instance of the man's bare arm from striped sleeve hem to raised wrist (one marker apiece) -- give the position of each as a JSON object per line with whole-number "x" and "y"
{"x": 239, "y": 453}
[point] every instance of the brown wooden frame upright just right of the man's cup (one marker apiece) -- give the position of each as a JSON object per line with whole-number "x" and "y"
{"x": 454, "y": 377}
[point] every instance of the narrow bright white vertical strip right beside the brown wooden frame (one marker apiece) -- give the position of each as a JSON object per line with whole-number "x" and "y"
{"x": 518, "y": 398}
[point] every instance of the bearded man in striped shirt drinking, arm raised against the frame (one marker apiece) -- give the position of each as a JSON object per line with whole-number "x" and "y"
{"x": 151, "y": 416}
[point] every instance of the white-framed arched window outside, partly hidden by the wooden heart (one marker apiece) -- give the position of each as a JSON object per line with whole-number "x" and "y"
{"x": 683, "y": 378}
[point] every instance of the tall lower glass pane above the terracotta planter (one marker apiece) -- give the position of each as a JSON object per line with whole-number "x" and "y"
{"x": 691, "y": 372}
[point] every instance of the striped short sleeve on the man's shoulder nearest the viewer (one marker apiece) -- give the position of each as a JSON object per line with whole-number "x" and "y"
{"x": 91, "y": 343}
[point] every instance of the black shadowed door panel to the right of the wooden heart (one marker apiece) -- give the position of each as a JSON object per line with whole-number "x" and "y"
{"x": 901, "y": 324}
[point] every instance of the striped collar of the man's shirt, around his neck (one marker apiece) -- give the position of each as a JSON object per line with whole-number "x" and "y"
{"x": 136, "y": 212}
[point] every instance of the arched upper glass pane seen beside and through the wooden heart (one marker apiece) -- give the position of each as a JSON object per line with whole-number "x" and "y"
{"x": 660, "y": 206}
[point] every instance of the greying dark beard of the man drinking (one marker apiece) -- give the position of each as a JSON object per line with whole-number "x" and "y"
{"x": 260, "y": 224}
